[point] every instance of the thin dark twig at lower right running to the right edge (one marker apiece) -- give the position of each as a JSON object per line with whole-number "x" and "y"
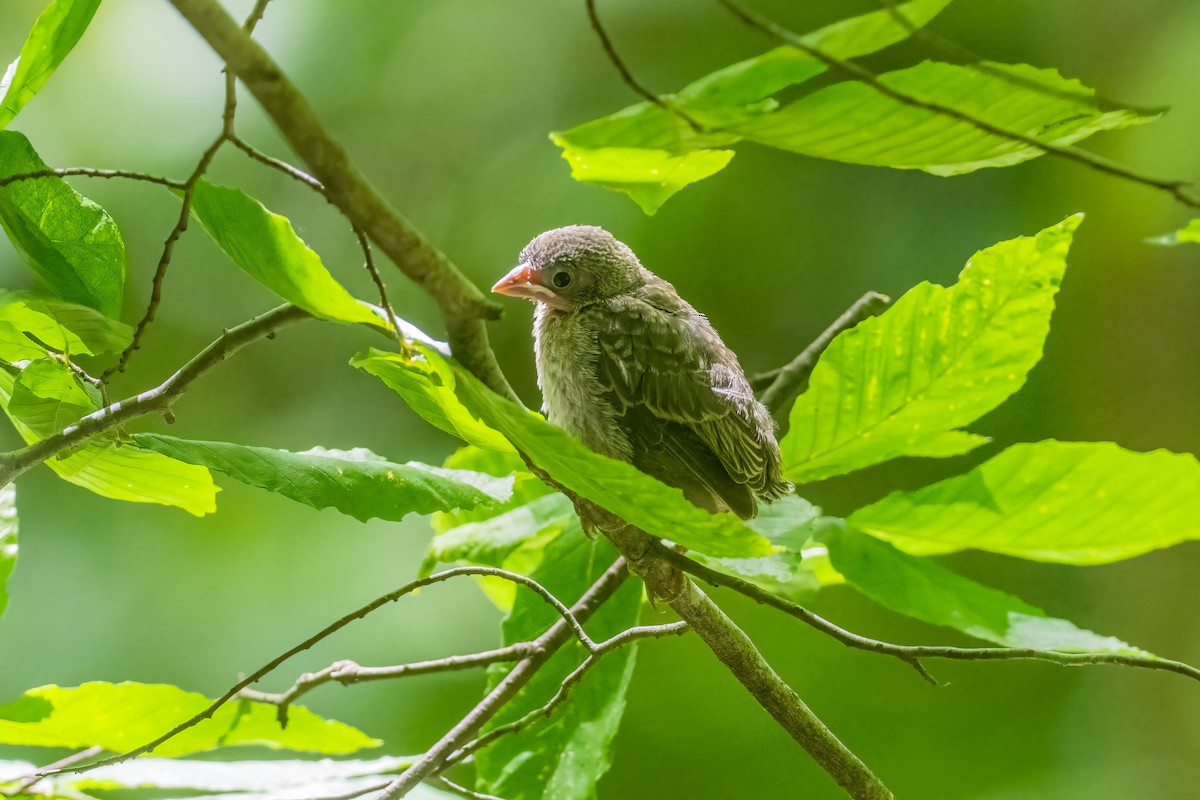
{"x": 914, "y": 654}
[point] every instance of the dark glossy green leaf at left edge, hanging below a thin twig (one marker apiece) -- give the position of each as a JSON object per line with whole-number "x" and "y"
{"x": 69, "y": 242}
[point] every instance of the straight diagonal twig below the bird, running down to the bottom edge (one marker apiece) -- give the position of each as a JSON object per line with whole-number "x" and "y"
{"x": 435, "y": 759}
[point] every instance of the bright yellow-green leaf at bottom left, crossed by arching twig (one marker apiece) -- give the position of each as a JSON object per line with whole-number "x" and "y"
{"x": 124, "y": 717}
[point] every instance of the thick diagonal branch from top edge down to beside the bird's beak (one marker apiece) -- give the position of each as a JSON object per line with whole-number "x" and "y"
{"x": 464, "y": 306}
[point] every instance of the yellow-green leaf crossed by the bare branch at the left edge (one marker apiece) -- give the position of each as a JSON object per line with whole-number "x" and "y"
{"x": 109, "y": 467}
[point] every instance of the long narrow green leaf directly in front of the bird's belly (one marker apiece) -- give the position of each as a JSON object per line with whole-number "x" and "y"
{"x": 623, "y": 490}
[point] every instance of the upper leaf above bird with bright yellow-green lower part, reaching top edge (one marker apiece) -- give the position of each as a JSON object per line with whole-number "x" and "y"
{"x": 650, "y": 153}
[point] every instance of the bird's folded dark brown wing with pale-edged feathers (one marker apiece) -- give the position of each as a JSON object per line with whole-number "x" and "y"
{"x": 686, "y": 406}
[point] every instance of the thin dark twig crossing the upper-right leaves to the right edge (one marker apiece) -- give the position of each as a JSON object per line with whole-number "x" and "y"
{"x": 1173, "y": 188}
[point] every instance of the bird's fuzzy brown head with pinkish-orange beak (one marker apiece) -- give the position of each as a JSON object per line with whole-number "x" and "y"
{"x": 569, "y": 268}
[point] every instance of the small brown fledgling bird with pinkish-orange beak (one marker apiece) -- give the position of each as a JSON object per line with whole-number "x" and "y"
{"x": 634, "y": 371}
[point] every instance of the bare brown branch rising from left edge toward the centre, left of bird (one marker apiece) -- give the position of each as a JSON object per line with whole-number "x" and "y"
{"x": 157, "y": 400}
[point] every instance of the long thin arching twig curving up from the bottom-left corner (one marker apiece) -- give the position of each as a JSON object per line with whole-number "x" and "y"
{"x": 571, "y": 623}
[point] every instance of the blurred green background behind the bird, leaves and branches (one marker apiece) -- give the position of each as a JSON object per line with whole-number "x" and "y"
{"x": 446, "y": 106}
